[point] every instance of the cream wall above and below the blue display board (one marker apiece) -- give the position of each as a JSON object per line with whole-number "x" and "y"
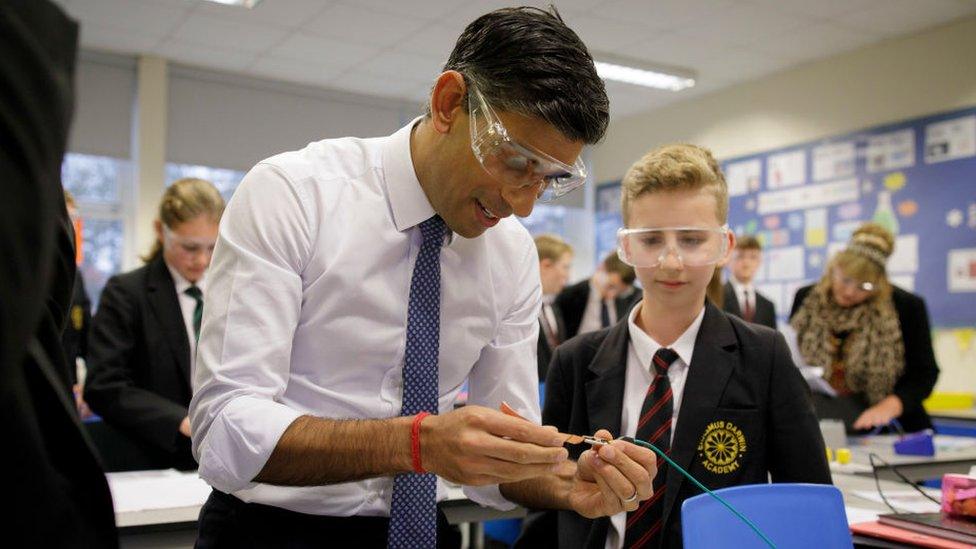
{"x": 927, "y": 73}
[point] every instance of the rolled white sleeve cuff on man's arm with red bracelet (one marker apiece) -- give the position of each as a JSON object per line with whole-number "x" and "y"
{"x": 240, "y": 441}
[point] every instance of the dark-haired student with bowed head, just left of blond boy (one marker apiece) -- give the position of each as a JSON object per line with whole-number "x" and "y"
{"x": 601, "y": 300}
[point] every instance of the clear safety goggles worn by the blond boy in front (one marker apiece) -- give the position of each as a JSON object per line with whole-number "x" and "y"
{"x": 691, "y": 246}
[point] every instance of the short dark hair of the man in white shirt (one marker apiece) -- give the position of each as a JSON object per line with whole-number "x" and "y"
{"x": 527, "y": 61}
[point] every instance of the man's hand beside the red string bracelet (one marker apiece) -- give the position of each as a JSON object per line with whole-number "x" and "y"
{"x": 476, "y": 446}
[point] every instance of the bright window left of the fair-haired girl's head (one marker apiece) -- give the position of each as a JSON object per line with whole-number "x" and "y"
{"x": 98, "y": 185}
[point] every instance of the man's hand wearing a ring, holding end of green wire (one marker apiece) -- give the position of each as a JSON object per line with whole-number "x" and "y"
{"x": 612, "y": 478}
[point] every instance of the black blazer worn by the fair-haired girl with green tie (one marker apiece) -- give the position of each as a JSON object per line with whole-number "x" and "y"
{"x": 139, "y": 363}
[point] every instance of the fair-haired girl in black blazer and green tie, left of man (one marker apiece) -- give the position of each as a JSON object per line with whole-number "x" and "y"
{"x": 145, "y": 331}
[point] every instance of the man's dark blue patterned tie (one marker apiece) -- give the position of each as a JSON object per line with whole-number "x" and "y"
{"x": 413, "y": 513}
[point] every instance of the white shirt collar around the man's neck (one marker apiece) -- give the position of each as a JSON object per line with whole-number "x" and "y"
{"x": 407, "y": 198}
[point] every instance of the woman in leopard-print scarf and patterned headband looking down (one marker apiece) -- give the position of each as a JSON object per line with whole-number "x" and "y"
{"x": 871, "y": 337}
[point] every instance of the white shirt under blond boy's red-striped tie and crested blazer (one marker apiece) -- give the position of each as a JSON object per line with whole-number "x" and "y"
{"x": 640, "y": 353}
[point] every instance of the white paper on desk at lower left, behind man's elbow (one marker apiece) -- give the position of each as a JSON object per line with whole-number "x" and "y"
{"x": 163, "y": 489}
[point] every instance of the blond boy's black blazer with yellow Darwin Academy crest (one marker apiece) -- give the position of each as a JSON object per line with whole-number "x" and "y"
{"x": 742, "y": 382}
